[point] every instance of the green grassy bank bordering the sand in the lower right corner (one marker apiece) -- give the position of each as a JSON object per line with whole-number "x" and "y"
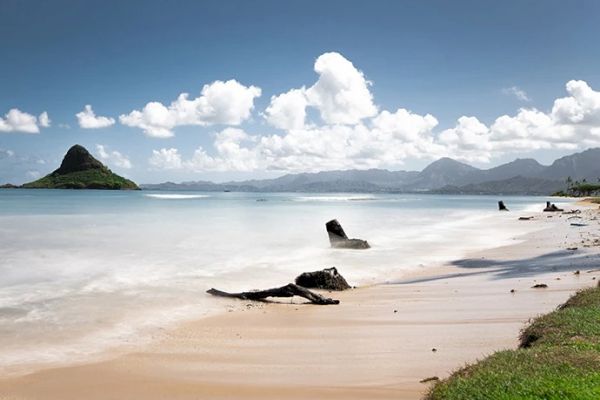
{"x": 559, "y": 358}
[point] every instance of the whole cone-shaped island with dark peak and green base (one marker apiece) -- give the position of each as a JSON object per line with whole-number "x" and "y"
{"x": 80, "y": 170}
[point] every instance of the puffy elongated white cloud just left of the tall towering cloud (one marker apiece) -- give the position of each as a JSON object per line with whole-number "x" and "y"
{"x": 225, "y": 103}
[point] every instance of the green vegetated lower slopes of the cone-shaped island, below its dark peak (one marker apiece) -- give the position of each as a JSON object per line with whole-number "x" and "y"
{"x": 89, "y": 179}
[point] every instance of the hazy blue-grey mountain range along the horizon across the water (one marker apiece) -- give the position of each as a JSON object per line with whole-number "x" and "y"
{"x": 521, "y": 176}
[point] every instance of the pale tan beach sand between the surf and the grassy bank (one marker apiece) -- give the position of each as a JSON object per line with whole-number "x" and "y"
{"x": 377, "y": 344}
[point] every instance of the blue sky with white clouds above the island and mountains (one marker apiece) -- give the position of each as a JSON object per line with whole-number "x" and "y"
{"x": 229, "y": 90}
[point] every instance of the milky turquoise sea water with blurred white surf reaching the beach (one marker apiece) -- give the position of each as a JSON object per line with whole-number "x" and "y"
{"x": 81, "y": 271}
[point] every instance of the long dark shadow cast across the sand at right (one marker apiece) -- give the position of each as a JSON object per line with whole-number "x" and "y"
{"x": 557, "y": 261}
